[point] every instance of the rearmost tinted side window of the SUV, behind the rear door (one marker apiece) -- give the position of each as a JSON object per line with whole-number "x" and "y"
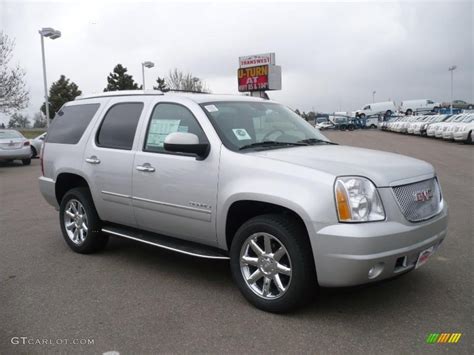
{"x": 70, "y": 123}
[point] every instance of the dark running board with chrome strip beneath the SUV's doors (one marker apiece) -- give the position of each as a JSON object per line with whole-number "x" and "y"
{"x": 168, "y": 243}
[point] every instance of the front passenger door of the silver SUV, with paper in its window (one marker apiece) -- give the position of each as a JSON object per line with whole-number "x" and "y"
{"x": 175, "y": 194}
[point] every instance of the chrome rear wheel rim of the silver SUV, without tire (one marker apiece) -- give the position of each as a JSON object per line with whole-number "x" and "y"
{"x": 75, "y": 221}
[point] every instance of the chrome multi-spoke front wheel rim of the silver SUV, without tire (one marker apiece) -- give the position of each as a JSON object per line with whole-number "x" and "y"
{"x": 265, "y": 265}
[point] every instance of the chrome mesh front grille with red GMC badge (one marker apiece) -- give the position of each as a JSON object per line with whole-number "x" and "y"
{"x": 419, "y": 201}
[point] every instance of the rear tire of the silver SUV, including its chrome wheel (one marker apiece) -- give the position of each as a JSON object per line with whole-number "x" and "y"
{"x": 88, "y": 240}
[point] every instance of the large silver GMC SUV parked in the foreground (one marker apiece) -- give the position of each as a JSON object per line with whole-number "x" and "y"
{"x": 239, "y": 178}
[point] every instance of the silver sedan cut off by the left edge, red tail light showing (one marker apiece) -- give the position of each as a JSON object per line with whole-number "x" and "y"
{"x": 14, "y": 146}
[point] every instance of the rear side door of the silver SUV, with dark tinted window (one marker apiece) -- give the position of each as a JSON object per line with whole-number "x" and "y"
{"x": 108, "y": 161}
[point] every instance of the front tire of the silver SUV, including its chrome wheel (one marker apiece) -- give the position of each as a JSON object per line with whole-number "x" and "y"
{"x": 284, "y": 233}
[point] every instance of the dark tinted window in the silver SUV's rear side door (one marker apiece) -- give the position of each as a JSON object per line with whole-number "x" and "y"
{"x": 119, "y": 125}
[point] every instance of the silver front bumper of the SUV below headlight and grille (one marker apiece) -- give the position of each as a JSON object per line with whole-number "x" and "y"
{"x": 344, "y": 253}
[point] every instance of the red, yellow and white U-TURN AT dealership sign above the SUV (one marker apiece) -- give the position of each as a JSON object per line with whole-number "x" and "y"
{"x": 253, "y": 77}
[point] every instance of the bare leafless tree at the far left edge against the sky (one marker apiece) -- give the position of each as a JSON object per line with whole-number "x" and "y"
{"x": 14, "y": 95}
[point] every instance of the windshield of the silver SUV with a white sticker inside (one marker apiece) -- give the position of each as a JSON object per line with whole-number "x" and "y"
{"x": 242, "y": 124}
